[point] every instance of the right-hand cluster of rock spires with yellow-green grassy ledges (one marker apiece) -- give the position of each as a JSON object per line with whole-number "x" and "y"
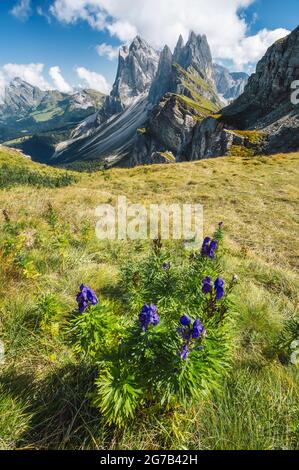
{"x": 185, "y": 91}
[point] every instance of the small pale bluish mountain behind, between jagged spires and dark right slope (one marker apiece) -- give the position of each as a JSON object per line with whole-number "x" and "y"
{"x": 230, "y": 85}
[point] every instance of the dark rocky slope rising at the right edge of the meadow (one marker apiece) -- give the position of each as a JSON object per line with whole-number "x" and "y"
{"x": 266, "y": 103}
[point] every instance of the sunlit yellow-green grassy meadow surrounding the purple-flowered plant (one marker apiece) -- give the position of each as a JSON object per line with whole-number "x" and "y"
{"x": 48, "y": 248}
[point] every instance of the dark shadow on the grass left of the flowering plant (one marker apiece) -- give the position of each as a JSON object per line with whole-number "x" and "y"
{"x": 60, "y": 405}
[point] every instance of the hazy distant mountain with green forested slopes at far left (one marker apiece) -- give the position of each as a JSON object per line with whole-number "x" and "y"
{"x": 37, "y": 120}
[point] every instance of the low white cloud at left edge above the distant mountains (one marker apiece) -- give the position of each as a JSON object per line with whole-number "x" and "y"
{"x": 31, "y": 73}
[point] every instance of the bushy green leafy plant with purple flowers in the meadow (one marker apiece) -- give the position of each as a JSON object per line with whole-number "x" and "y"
{"x": 176, "y": 351}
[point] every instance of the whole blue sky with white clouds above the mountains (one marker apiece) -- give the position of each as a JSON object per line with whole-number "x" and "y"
{"x": 63, "y": 35}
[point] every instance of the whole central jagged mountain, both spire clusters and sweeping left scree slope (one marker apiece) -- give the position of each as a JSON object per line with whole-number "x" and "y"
{"x": 168, "y": 90}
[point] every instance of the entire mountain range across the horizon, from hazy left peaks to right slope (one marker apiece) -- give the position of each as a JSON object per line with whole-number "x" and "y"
{"x": 169, "y": 106}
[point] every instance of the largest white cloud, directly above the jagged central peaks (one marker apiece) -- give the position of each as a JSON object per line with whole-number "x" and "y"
{"x": 161, "y": 21}
